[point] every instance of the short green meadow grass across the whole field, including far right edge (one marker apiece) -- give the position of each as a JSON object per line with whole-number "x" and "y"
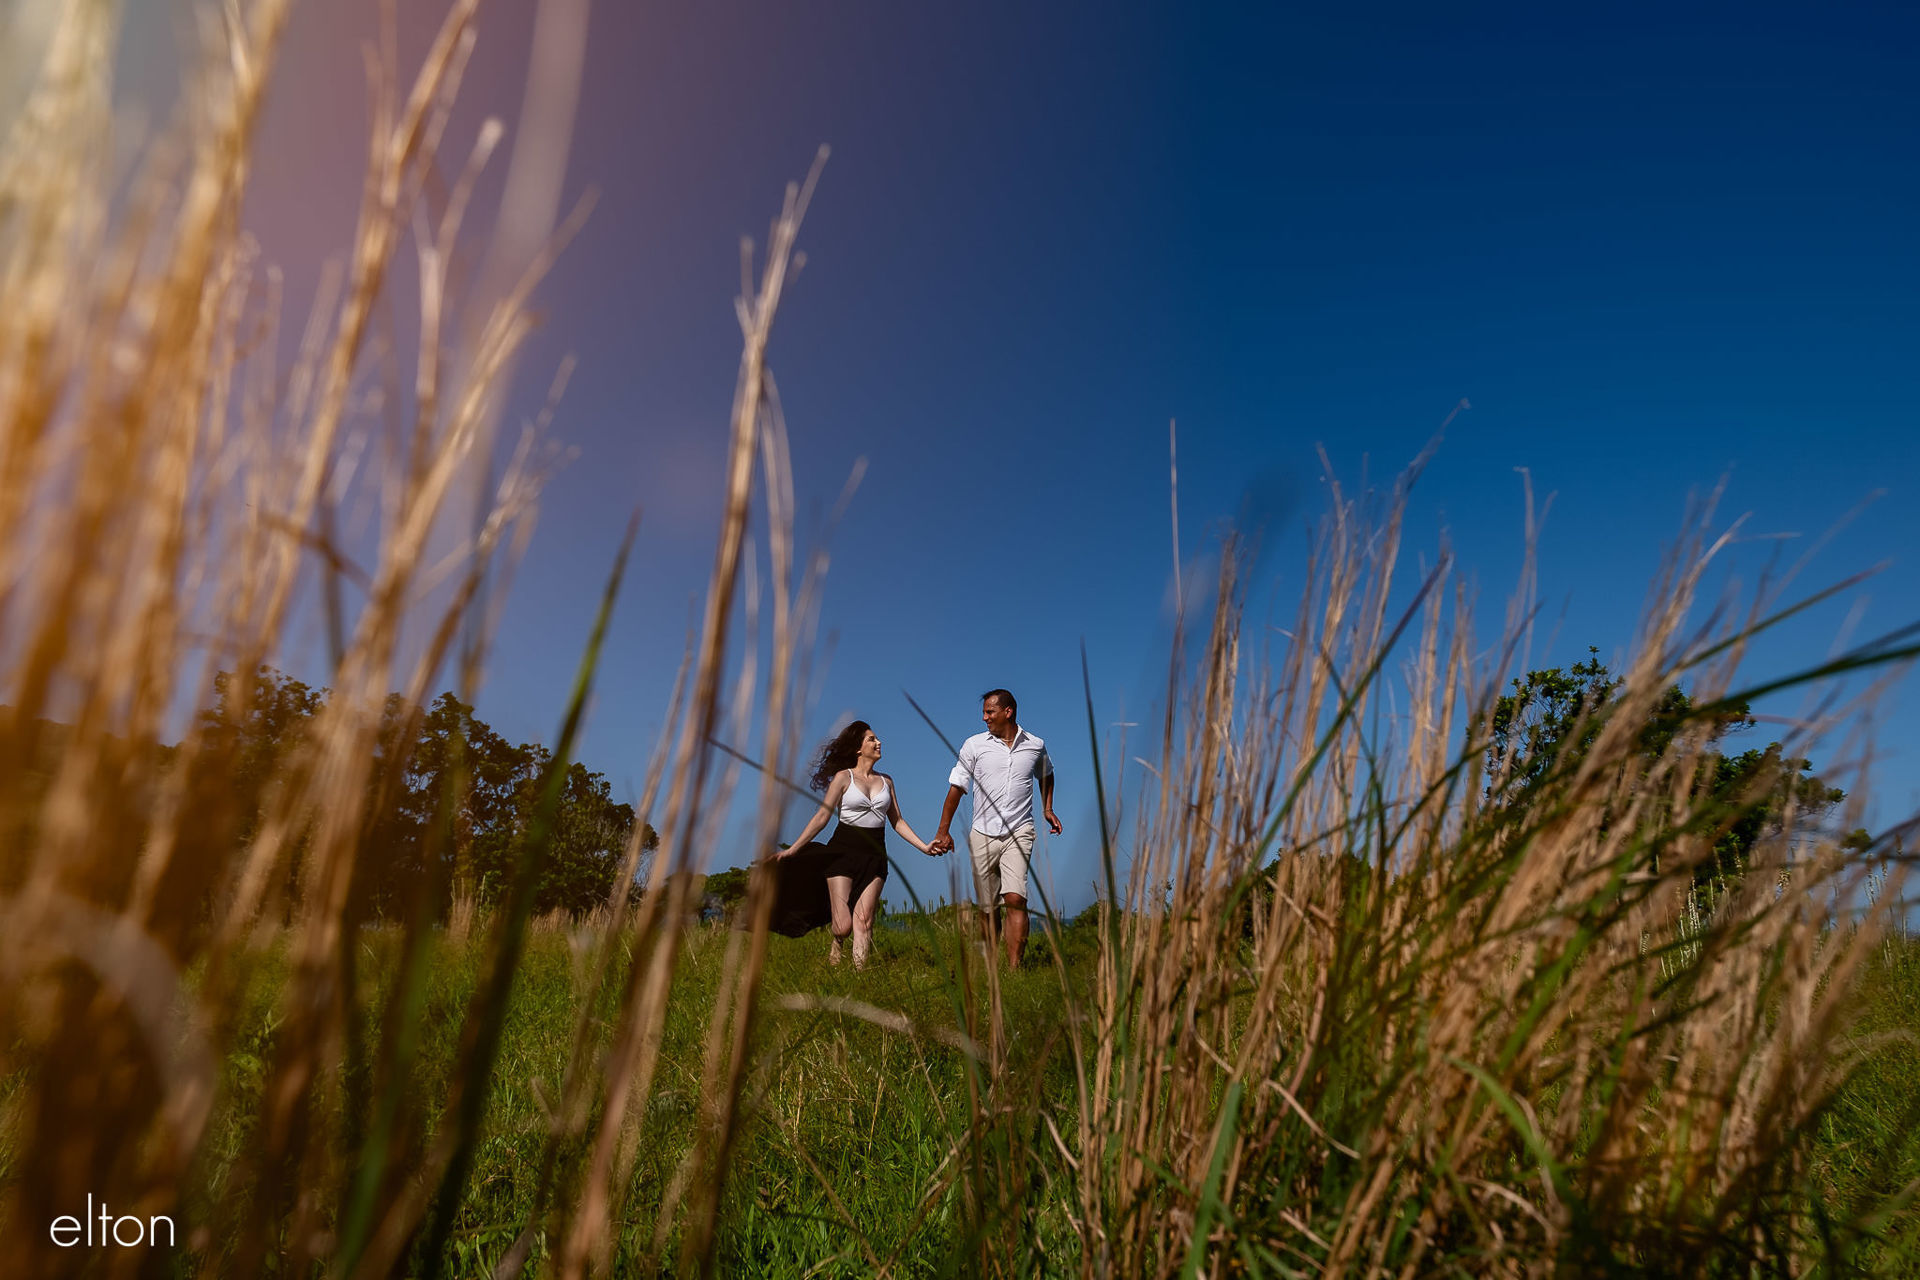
{"x": 852, "y": 1126}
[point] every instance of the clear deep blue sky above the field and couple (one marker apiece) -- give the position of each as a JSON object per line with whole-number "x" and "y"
{"x": 1652, "y": 249}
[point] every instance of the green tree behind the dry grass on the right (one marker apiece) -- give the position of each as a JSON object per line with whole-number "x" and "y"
{"x": 1554, "y": 717}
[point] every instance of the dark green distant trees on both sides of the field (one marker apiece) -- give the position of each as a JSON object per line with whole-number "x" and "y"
{"x": 452, "y": 801}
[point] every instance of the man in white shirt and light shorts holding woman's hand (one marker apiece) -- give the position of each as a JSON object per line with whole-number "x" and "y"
{"x": 1001, "y": 767}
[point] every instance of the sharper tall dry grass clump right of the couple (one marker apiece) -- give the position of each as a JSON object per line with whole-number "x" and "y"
{"x": 1366, "y": 1007}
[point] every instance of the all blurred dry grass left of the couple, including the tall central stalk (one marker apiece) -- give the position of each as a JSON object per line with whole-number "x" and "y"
{"x": 168, "y": 500}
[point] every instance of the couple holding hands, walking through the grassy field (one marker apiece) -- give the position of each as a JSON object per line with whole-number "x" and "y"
{"x": 838, "y": 884}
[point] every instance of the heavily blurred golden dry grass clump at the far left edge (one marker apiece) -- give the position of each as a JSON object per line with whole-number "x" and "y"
{"x": 156, "y": 517}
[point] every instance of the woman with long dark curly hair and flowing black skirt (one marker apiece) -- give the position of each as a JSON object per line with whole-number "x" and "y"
{"x": 855, "y": 861}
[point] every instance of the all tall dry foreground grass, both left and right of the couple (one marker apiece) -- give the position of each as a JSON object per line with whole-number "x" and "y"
{"x": 1360, "y": 1005}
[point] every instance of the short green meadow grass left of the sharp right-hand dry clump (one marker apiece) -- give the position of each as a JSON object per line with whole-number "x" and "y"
{"x": 850, "y": 1124}
